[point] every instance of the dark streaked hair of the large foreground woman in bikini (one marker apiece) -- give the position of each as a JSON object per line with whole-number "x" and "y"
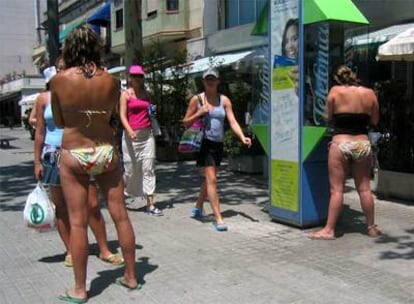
{"x": 83, "y": 48}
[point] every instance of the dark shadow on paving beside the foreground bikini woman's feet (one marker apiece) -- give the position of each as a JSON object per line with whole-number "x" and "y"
{"x": 108, "y": 277}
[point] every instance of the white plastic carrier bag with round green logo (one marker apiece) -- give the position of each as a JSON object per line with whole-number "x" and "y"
{"x": 39, "y": 211}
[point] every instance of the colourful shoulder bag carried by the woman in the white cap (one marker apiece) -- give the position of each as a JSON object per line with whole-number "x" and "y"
{"x": 192, "y": 137}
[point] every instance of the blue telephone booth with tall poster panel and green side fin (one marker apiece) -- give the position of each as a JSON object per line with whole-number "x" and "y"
{"x": 298, "y": 182}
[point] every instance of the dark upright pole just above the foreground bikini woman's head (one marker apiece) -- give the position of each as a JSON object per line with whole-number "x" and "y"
{"x": 53, "y": 30}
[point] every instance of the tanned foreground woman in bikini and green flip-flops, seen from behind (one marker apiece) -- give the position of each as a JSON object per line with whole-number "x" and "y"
{"x": 84, "y": 98}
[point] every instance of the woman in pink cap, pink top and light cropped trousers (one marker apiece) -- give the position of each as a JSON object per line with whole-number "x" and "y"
{"x": 139, "y": 144}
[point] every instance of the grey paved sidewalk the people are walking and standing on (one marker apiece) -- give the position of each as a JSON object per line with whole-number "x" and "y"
{"x": 182, "y": 260}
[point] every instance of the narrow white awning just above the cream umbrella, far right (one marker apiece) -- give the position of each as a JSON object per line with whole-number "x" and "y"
{"x": 380, "y": 36}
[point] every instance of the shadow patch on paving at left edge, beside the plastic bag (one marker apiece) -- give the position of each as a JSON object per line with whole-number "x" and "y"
{"x": 14, "y": 183}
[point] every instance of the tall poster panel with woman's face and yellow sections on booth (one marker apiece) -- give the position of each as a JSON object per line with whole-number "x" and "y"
{"x": 285, "y": 108}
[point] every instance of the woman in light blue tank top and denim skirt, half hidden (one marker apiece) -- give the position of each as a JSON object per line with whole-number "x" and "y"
{"x": 46, "y": 152}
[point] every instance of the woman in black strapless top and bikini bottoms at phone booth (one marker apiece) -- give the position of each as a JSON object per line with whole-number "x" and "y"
{"x": 352, "y": 108}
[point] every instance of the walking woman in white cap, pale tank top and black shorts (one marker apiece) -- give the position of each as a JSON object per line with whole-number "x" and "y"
{"x": 212, "y": 108}
